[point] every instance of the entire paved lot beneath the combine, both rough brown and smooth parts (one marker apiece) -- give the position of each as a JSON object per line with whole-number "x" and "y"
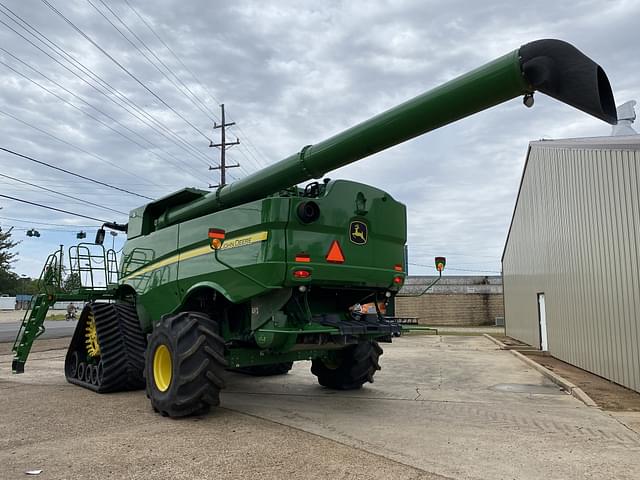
{"x": 442, "y": 407}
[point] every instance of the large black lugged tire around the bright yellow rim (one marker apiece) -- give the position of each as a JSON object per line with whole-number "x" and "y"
{"x": 198, "y": 364}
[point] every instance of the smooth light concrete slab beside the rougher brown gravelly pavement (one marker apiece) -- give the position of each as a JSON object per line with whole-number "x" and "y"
{"x": 455, "y": 406}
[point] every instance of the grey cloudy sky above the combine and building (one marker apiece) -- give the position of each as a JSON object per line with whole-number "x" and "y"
{"x": 79, "y": 94}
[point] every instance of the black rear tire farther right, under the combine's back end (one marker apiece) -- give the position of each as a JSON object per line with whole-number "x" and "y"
{"x": 357, "y": 366}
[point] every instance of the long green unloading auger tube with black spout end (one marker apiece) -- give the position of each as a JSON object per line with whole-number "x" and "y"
{"x": 553, "y": 67}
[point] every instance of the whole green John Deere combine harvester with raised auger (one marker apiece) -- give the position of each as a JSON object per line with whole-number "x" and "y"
{"x": 261, "y": 272}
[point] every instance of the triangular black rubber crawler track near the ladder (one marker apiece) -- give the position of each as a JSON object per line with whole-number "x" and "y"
{"x": 122, "y": 349}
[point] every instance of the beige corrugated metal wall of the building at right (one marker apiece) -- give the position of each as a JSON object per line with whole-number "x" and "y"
{"x": 575, "y": 236}
